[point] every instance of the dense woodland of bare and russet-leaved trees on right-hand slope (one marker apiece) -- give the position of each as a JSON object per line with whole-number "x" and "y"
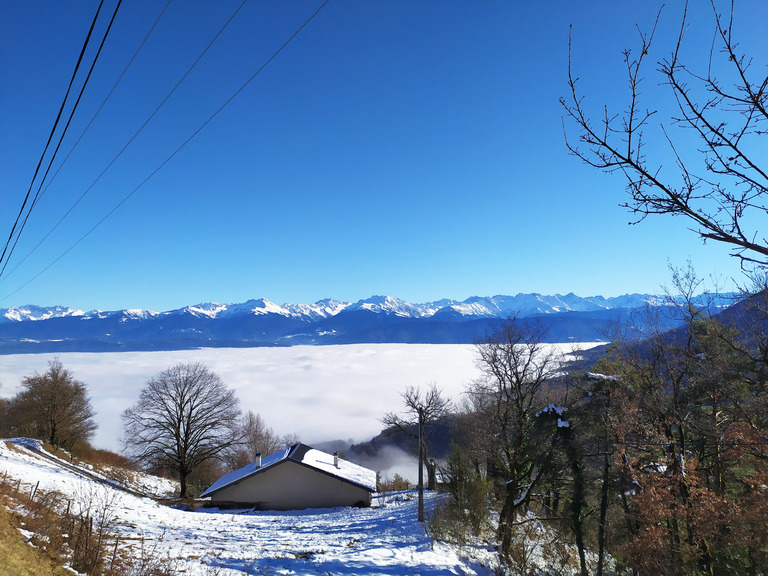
{"x": 651, "y": 458}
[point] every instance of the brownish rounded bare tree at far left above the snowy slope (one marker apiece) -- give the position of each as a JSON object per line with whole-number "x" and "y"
{"x": 55, "y": 407}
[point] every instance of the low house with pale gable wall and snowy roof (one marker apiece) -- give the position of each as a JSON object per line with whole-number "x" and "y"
{"x": 295, "y": 478}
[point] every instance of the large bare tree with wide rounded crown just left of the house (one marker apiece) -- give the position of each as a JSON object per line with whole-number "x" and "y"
{"x": 184, "y": 417}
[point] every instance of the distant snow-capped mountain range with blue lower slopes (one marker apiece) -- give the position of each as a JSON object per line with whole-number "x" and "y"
{"x": 379, "y": 319}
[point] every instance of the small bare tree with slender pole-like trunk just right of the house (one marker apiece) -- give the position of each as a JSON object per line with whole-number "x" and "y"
{"x": 423, "y": 409}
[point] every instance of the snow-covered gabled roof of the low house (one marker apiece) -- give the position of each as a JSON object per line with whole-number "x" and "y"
{"x": 306, "y": 456}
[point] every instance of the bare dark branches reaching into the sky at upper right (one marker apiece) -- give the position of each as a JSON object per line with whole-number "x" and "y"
{"x": 724, "y": 198}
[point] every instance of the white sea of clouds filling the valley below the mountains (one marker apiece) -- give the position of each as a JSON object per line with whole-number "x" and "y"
{"x": 320, "y": 393}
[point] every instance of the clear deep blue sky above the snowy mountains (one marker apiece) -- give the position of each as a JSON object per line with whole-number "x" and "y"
{"x": 413, "y": 149}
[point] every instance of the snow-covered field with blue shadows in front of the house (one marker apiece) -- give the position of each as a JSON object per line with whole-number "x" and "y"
{"x": 384, "y": 539}
